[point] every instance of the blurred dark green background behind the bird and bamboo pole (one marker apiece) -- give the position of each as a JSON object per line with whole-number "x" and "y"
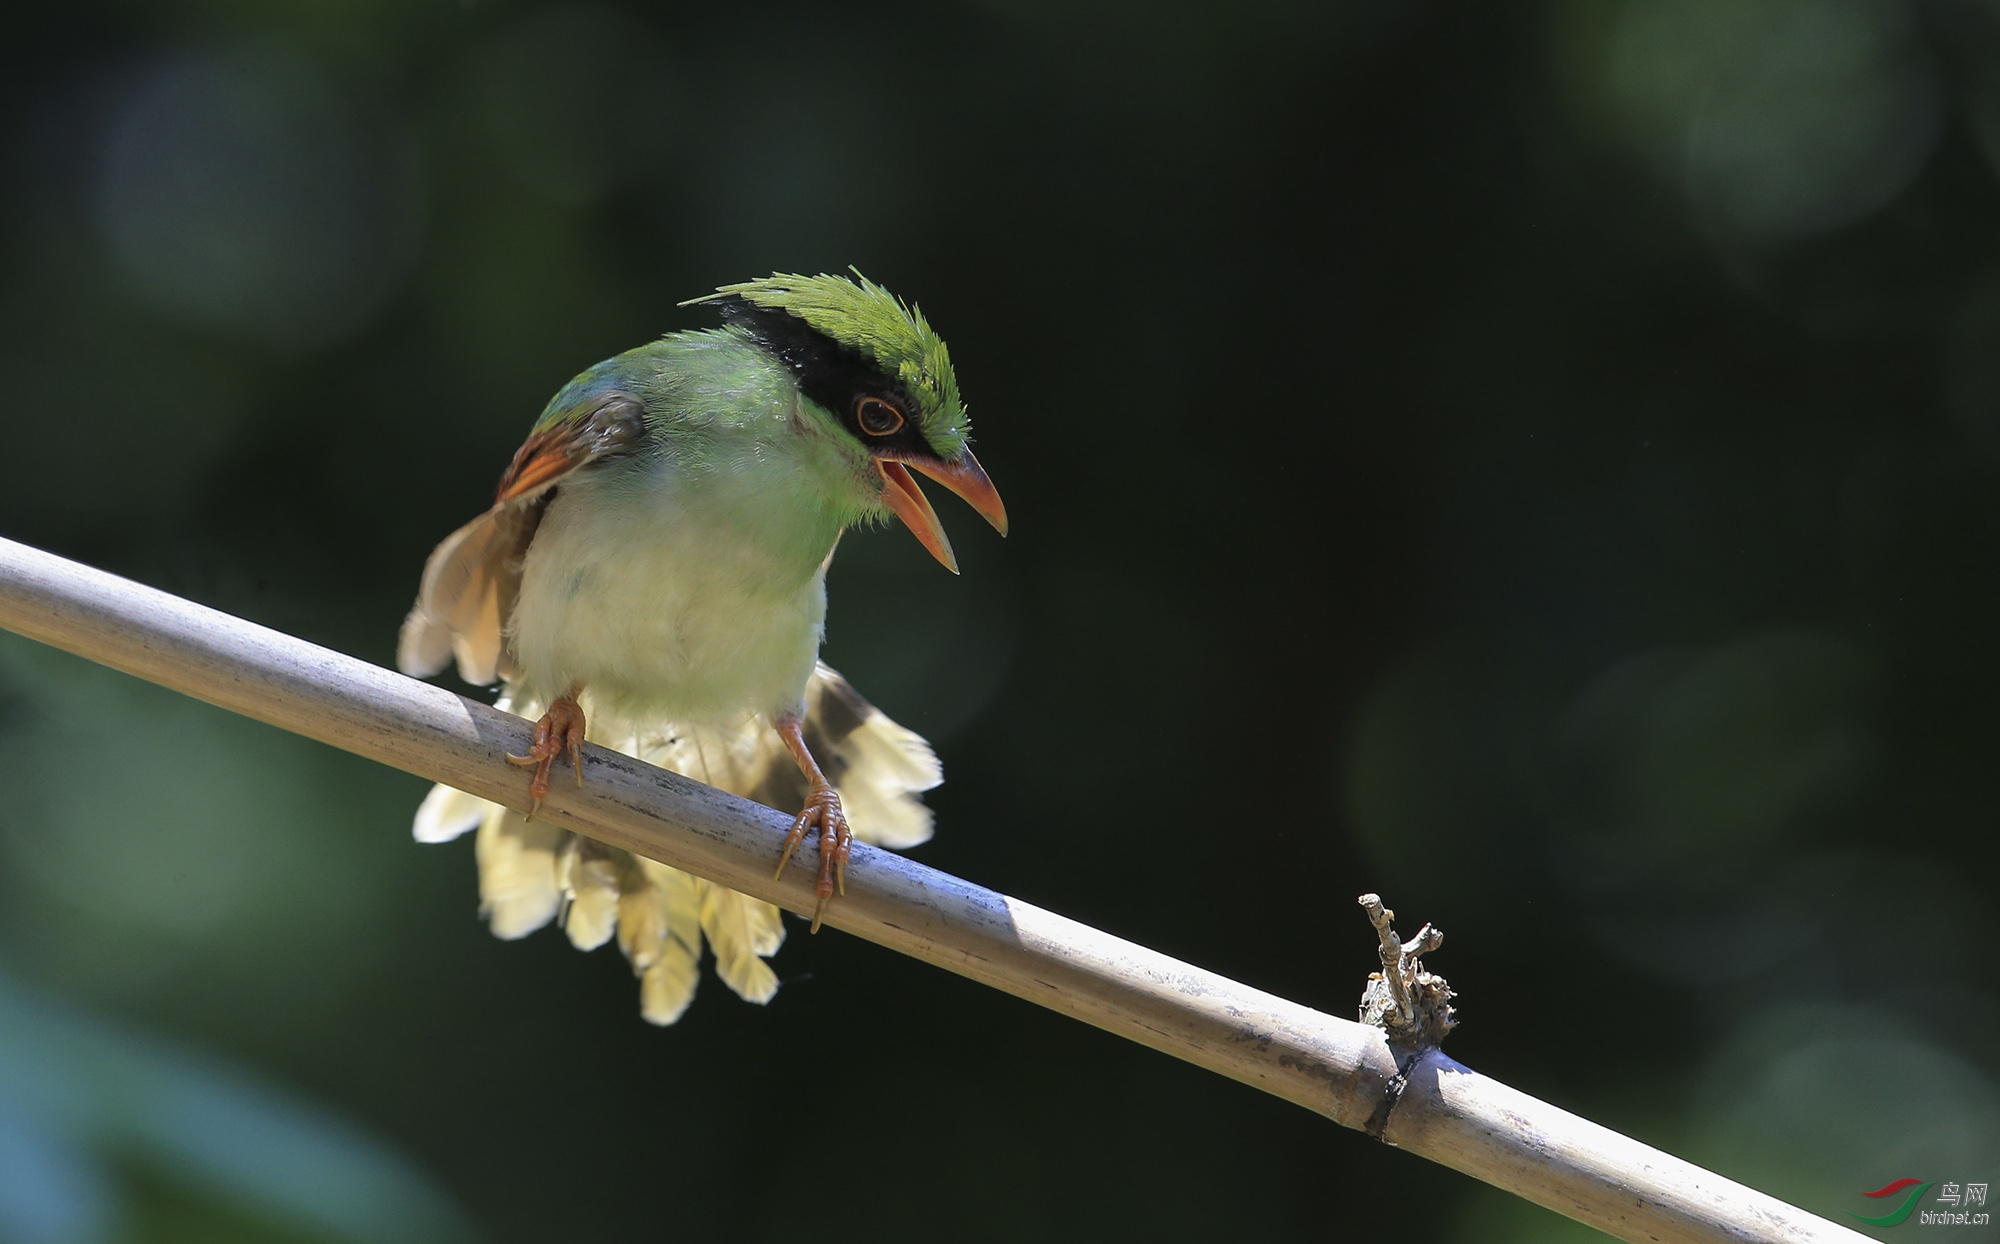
{"x": 1531, "y": 461}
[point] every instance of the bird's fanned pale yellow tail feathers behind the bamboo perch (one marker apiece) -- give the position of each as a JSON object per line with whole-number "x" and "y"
{"x": 533, "y": 873}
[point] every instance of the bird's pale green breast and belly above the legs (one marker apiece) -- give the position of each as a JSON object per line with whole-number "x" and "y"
{"x": 689, "y": 579}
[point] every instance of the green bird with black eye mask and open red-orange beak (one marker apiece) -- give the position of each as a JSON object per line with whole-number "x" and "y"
{"x": 653, "y": 577}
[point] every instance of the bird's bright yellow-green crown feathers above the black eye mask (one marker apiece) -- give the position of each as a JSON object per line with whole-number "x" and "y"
{"x": 863, "y": 317}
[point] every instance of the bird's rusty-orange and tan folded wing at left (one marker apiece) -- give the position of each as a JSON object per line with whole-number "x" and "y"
{"x": 473, "y": 577}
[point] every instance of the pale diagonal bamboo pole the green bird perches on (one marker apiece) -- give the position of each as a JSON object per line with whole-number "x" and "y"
{"x": 1413, "y": 1099}
